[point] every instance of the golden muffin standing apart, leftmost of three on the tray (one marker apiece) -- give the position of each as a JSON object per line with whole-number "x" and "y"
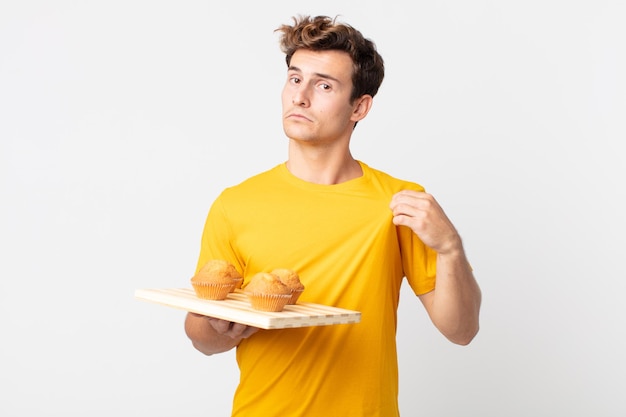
{"x": 215, "y": 280}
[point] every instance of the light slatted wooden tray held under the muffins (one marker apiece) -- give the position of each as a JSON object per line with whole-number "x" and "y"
{"x": 236, "y": 307}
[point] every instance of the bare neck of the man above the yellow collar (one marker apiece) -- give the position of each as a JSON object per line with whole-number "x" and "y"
{"x": 322, "y": 166}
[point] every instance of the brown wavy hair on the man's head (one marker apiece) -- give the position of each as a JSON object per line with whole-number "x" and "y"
{"x": 321, "y": 33}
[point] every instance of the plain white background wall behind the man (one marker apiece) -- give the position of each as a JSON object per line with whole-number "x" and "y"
{"x": 121, "y": 121}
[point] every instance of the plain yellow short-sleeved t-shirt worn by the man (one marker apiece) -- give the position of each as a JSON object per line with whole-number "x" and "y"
{"x": 342, "y": 242}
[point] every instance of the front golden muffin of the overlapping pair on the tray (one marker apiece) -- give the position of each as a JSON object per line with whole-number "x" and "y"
{"x": 267, "y": 292}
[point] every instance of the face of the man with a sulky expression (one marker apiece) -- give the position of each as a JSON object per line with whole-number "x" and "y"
{"x": 316, "y": 97}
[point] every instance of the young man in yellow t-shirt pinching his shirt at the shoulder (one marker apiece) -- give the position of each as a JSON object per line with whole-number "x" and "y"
{"x": 352, "y": 233}
